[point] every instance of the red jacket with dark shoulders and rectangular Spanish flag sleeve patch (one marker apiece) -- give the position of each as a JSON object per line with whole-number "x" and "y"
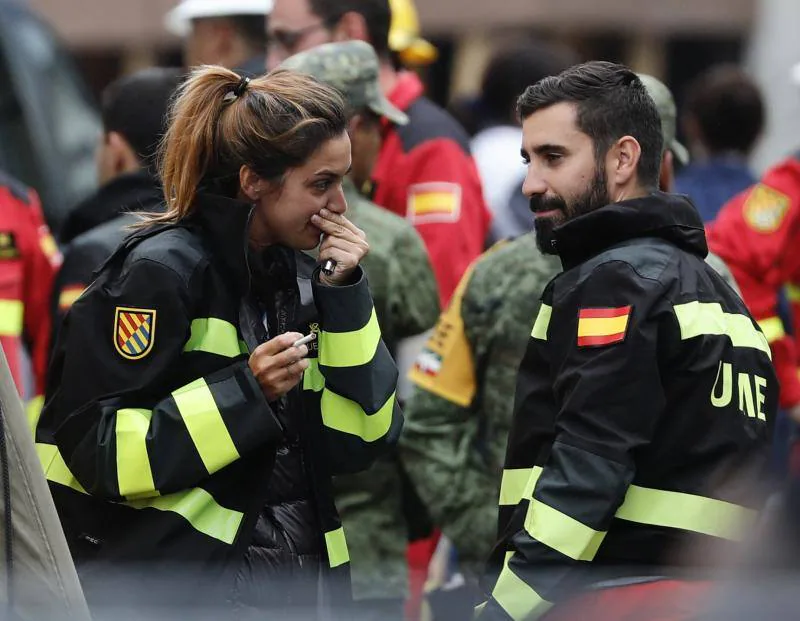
{"x": 425, "y": 173}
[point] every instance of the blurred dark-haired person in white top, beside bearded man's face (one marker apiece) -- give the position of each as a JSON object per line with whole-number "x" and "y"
{"x": 496, "y": 146}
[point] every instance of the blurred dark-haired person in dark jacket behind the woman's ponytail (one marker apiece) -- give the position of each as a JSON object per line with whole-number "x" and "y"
{"x": 134, "y": 113}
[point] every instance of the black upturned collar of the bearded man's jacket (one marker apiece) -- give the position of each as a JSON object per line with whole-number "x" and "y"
{"x": 670, "y": 217}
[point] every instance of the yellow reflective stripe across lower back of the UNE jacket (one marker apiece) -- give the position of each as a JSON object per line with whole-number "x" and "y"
{"x": 698, "y": 514}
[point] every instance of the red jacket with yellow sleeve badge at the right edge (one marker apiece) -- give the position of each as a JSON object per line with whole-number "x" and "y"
{"x": 757, "y": 234}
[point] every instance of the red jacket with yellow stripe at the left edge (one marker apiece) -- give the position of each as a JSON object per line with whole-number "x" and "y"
{"x": 28, "y": 263}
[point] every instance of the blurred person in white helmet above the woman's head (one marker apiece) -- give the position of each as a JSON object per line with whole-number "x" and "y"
{"x": 230, "y": 33}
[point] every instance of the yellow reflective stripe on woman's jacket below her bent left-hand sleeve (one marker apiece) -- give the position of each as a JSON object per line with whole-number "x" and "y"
{"x": 199, "y": 508}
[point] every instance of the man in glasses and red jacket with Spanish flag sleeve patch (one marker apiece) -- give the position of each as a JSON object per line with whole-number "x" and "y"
{"x": 424, "y": 171}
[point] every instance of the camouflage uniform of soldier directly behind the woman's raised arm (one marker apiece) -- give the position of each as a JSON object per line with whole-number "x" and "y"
{"x": 407, "y": 304}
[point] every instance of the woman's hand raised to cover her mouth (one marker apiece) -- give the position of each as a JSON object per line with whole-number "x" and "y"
{"x": 344, "y": 243}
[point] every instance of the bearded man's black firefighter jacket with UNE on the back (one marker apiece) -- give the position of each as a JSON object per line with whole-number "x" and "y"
{"x": 642, "y": 412}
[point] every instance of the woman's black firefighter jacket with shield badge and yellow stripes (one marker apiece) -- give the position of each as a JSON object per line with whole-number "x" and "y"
{"x": 162, "y": 453}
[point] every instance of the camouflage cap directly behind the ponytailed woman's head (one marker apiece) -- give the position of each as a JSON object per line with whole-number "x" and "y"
{"x": 351, "y": 67}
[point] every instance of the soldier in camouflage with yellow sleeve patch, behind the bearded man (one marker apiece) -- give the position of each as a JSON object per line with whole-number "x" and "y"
{"x": 458, "y": 418}
